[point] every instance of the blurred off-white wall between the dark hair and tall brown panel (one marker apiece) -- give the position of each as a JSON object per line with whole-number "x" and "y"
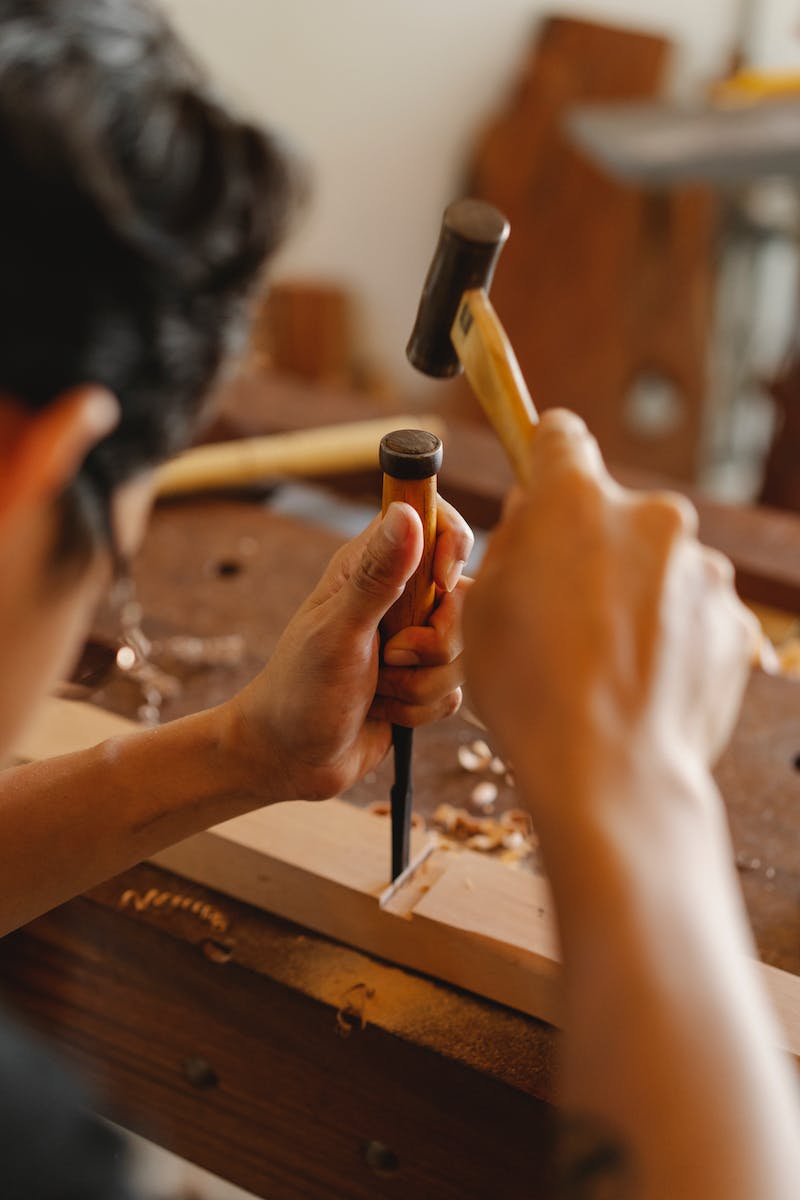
{"x": 387, "y": 97}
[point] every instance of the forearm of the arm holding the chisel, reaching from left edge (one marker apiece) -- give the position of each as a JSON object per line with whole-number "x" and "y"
{"x": 71, "y": 823}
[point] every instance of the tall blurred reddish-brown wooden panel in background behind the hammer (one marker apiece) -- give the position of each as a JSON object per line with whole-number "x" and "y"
{"x": 606, "y": 291}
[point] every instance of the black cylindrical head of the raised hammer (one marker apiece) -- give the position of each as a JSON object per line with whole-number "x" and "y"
{"x": 473, "y": 235}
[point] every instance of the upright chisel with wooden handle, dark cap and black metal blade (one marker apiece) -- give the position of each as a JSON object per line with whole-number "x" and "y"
{"x": 411, "y": 461}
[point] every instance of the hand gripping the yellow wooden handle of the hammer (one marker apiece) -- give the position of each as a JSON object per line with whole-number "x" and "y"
{"x": 599, "y": 632}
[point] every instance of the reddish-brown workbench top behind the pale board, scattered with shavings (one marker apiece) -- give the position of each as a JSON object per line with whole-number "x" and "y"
{"x": 246, "y": 571}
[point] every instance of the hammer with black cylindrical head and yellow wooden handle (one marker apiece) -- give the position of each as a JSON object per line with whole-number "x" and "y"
{"x": 456, "y": 326}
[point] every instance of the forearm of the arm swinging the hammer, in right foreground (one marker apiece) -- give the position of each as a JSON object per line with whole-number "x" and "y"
{"x": 671, "y": 1046}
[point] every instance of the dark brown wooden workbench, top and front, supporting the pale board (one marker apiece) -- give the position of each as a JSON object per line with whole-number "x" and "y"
{"x": 288, "y": 1064}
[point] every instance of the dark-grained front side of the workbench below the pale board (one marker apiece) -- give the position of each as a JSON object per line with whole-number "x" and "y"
{"x": 239, "y": 1066}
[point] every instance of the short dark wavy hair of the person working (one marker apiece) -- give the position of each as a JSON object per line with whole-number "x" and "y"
{"x": 136, "y": 214}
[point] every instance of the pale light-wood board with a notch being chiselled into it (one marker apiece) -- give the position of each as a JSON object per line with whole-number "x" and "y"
{"x": 464, "y": 919}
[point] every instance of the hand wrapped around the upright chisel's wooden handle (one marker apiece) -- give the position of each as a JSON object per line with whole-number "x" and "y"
{"x": 320, "y": 716}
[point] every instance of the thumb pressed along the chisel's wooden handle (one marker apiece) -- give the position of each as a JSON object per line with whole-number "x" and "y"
{"x": 388, "y": 561}
